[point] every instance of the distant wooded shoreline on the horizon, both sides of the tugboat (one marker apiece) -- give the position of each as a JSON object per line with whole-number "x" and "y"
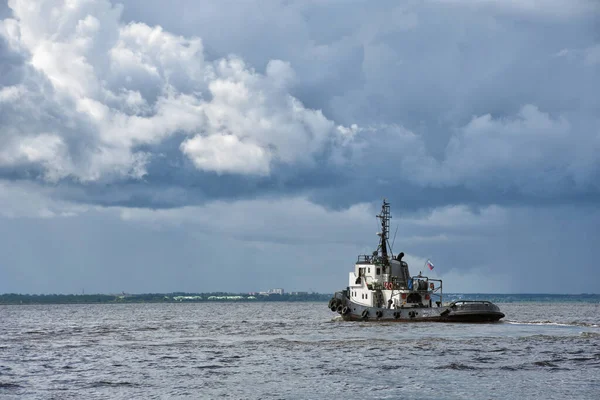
{"x": 180, "y": 297}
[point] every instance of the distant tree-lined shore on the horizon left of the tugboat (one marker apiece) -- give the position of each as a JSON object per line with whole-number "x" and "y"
{"x": 177, "y": 297}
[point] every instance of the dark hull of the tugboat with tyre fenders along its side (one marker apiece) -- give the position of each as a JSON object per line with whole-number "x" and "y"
{"x": 461, "y": 311}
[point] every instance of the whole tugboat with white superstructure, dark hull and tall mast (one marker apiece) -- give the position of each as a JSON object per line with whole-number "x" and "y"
{"x": 381, "y": 289}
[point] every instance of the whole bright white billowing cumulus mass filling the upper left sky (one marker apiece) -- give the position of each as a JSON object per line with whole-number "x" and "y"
{"x": 134, "y": 85}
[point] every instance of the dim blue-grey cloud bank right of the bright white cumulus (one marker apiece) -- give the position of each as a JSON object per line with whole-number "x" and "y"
{"x": 531, "y": 152}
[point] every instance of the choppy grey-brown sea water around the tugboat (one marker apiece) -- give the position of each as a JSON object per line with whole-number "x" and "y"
{"x": 543, "y": 349}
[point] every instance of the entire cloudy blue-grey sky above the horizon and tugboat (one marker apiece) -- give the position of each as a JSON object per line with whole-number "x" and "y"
{"x": 238, "y": 146}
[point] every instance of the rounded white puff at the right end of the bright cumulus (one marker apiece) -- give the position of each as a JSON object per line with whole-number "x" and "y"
{"x": 254, "y": 115}
